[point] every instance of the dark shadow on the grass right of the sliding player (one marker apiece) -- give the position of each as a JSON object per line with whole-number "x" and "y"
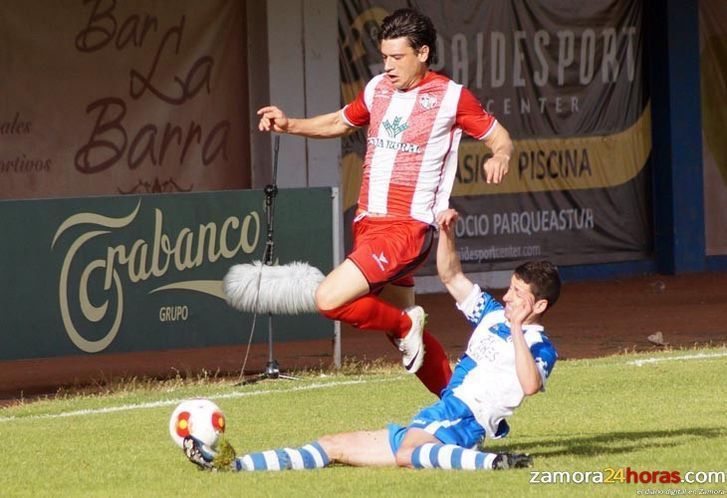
{"x": 612, "y": 443}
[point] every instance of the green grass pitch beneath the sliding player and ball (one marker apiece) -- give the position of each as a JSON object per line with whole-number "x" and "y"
{"x": 656, "y": 412}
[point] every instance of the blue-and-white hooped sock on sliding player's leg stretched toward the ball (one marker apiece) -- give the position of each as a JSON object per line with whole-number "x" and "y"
{"x": 310, "y": 456}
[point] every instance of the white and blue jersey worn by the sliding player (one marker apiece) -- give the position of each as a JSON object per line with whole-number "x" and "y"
{"x": 485, "y": 378}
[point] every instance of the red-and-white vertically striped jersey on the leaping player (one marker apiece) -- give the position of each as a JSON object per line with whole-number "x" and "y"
{"x": 413, "y": 136}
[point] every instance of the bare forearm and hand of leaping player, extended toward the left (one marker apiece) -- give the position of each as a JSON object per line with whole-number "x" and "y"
{"x": 330, "y": 125}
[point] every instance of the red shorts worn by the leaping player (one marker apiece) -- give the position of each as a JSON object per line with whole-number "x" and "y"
{"x": 388, "y": 251}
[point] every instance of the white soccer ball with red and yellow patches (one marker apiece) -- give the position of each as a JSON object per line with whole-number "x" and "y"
{"x": 200, "y": 418}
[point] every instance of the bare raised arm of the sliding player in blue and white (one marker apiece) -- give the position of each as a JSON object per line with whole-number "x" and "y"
{"x": 449, "y": 267}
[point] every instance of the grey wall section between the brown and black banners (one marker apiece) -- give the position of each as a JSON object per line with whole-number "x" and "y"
{"x": 293, "y": 54}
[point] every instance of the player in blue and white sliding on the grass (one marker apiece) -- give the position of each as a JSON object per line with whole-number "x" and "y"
{"x": 508, "y": 357}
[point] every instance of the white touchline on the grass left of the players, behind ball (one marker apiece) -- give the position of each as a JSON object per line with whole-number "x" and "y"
{"x": 171, "y": 402}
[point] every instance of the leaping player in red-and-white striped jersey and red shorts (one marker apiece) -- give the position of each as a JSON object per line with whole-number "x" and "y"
{"x": 415, "y": 119}
